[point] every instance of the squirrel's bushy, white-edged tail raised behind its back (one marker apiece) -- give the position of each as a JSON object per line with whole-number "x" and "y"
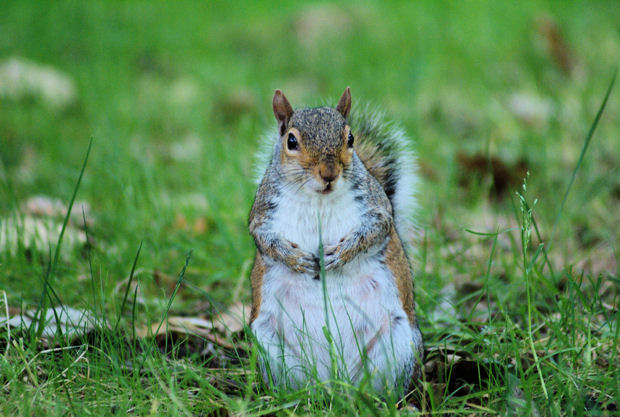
{"x": 386, "y": 152}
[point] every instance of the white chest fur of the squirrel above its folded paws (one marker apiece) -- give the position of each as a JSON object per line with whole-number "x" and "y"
{"x": 298, "y": 218}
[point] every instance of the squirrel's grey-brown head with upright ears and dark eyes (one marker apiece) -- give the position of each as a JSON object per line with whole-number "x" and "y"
{"x": 316, "y": 143}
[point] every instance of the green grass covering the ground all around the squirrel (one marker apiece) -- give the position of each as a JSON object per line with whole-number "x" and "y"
{"x": 517, "y": 295}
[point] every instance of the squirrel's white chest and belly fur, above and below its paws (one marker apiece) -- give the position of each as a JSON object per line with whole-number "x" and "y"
{"x": 364, "y": 310}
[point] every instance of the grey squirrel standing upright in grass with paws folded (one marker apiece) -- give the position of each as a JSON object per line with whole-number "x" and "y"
{"x": 347, "y": 179}
